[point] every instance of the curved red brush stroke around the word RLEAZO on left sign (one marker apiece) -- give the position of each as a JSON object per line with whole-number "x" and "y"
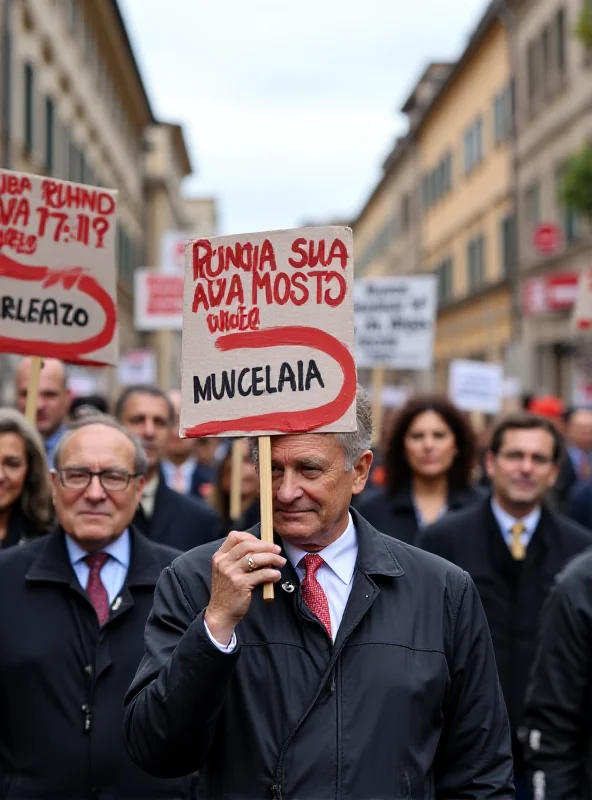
{"x": 69, "y": 278}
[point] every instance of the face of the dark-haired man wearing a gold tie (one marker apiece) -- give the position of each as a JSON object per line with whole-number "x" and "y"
{"x": 523, "y": 470}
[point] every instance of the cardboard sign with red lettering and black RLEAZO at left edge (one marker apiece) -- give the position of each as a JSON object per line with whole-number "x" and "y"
{"x": 57, "y": 269}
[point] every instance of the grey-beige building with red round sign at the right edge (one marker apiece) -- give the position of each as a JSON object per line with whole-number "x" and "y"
{"x": 554, "y": 119}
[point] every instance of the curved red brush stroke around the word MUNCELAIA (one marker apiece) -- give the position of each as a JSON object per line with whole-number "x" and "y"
{"x": 287, "y": 421}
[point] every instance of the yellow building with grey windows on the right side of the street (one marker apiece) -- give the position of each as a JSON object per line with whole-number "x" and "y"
{"x": 467, "y": 228}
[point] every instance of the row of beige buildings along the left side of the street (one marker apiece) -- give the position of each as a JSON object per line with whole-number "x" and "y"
{"x": 74, "y": 106}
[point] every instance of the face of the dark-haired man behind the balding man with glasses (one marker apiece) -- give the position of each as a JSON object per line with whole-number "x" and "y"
{"x": 147, "y": 417}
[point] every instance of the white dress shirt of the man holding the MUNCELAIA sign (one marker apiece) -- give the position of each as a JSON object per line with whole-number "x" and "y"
{"x": 335, "y": 575}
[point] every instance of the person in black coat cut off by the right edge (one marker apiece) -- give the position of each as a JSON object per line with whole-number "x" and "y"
{"x": 559, "y": 696}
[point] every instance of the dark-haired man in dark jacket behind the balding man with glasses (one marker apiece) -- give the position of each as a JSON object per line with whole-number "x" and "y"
{"x": 164, "y": 515}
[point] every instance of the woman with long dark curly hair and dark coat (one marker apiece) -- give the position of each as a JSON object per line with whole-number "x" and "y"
{"x": 429, "y": 469}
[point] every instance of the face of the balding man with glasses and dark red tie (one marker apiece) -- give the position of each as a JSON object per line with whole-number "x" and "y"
{"x": 94, "y": 516}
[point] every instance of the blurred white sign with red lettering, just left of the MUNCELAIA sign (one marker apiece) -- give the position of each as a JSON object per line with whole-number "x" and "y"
{"x": 158, "y": 300}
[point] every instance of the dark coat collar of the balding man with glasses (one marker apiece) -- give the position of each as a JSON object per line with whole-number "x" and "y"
{"x": 53, "y": 563}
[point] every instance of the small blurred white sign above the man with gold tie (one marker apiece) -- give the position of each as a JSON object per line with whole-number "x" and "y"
{"x": 476, "y": 386}
